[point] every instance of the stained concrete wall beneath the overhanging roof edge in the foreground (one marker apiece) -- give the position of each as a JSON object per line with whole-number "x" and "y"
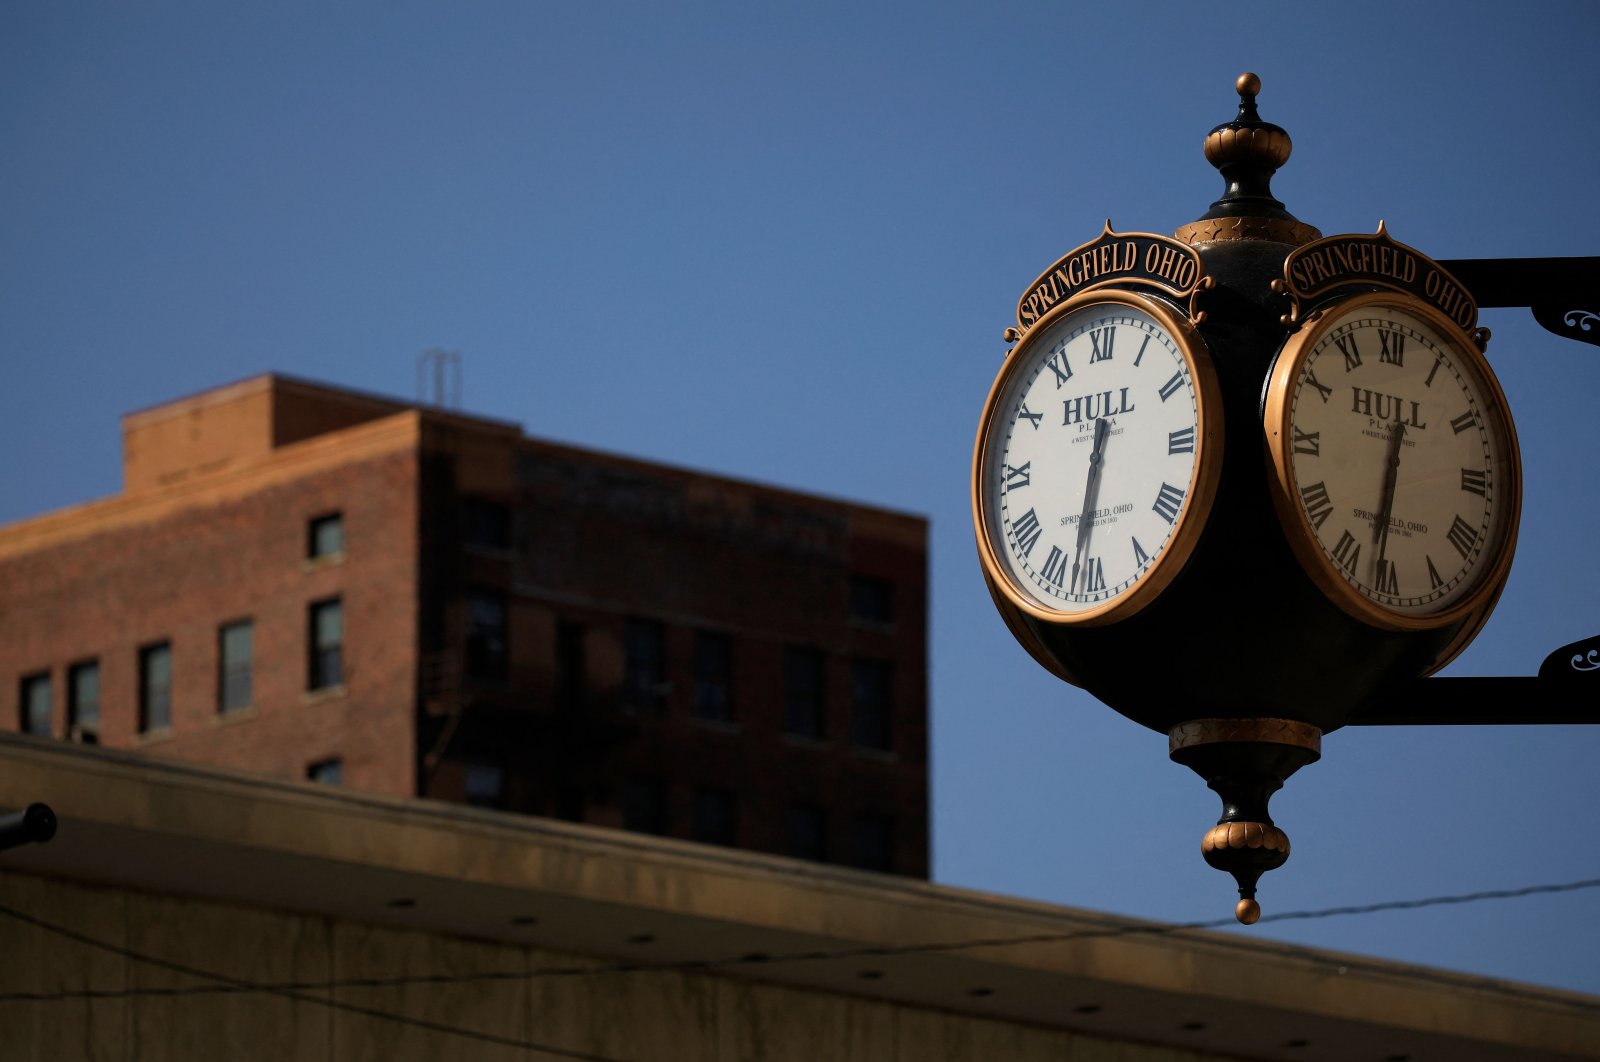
{"x": 623, "y": 1016}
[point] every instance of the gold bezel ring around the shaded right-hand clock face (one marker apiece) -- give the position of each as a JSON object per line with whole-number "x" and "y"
{"x": 1278, "y": 412}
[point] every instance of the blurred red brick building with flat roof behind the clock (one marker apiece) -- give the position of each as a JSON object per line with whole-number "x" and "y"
{"x": 313, "y": 583}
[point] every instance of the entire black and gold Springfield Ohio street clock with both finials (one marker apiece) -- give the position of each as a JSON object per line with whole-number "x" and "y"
{"x": 1276, "y": 463}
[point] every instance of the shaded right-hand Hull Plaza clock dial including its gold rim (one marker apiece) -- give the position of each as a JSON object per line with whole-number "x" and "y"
{"x": 1394, "y": 463}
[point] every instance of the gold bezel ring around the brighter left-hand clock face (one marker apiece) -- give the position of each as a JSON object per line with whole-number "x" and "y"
{"x": 1202, "y": 482}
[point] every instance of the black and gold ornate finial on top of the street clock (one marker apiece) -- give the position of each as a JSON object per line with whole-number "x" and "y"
{"x": 1247, "y": 153}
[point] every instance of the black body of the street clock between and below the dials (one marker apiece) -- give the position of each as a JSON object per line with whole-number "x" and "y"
{"x": 1242, "y": 631}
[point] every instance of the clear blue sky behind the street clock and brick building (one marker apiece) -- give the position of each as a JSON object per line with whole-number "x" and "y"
{"x": 782, "y": 244}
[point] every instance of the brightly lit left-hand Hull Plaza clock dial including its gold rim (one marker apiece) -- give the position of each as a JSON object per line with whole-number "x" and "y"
{"x": 1097, "y": 461}
